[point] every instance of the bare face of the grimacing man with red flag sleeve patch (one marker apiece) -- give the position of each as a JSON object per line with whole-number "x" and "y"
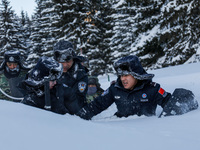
{"x": 128, "y": 81}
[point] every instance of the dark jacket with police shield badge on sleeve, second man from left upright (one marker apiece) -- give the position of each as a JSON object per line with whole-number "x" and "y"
{"x": 75, "y": 81}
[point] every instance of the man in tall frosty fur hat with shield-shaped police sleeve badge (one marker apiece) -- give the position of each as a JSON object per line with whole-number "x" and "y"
{"x": 74, "y": 76}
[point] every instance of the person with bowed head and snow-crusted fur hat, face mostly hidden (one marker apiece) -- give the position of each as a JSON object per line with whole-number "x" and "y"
{"x": 41, "y": 87}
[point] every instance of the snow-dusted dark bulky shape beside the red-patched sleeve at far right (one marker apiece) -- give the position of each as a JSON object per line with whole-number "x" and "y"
{"x": 181, "y": 102}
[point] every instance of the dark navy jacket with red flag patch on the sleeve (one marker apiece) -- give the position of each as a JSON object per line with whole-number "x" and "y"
{"x": 142, "y": 100}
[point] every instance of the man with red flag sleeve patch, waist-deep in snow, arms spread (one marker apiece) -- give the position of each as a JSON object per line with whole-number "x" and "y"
{"x": 134, "y": 93}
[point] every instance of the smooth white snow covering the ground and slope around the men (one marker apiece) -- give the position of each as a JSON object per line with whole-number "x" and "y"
{"x": 27, "y": 128}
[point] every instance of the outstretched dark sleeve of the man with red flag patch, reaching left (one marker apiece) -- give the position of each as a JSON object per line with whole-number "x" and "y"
{"x": 97, "y": 106}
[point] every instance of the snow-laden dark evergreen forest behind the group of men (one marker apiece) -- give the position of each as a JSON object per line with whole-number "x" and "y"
{"x": 161, "y": 32}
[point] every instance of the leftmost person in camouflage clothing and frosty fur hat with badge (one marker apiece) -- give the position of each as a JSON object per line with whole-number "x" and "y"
{"x": 12, "y": 72}
